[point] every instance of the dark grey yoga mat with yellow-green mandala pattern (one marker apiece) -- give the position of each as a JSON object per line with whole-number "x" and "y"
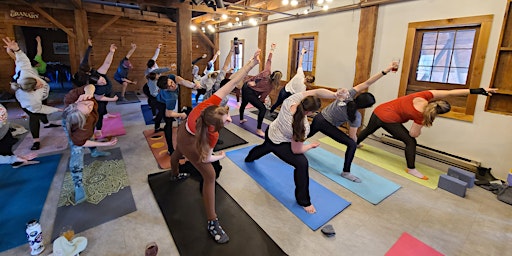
{"x": 109, "y": 195}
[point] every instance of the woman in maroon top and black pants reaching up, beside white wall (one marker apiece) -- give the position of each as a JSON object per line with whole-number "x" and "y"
{"x": 256, "y": 89}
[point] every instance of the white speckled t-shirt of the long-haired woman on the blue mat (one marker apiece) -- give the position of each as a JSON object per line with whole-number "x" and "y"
{"x": 281, "y": 130}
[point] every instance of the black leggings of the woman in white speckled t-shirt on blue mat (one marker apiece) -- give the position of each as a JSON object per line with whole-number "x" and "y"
{"x": 298, "y": 161}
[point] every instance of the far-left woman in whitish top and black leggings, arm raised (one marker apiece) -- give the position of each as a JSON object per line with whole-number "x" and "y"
{"x": 31, "y": 91}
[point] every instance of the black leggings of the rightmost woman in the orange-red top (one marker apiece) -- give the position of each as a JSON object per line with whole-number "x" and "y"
{"x": 398, "y": 131}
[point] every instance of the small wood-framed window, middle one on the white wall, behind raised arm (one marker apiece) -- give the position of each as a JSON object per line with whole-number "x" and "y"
{"x": 297, "y": 42}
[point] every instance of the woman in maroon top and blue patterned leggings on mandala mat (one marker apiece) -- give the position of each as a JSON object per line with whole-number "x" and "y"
{"x": 78, "y": 120}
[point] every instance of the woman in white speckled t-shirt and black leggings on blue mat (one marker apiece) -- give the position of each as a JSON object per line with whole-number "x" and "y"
{"x": 286, "y": 135}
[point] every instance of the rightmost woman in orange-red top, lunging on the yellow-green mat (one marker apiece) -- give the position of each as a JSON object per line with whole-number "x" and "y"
{"x": 421, "y": 107}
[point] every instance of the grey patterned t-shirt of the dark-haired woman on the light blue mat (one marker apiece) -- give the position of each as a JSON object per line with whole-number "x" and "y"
{"x": 336, "y": 112}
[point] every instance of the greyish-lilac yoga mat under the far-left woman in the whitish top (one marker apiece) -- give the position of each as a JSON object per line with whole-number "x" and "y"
{"x": 53, "y": 140}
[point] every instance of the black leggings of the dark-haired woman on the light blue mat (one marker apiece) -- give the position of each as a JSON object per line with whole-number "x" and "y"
{"x": 319, "y": 124}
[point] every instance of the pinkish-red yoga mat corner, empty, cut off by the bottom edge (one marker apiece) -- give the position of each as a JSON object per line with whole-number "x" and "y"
{"x": 408, "y": 245}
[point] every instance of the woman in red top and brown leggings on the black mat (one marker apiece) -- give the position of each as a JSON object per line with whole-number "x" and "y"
{"x": 197, "y": 137}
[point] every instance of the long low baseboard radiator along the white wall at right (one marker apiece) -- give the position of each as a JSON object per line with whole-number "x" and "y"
{"x": 434, "y": 154}
